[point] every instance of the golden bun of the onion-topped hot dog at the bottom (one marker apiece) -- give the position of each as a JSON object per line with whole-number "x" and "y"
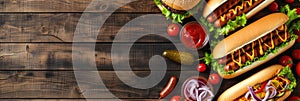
{"x": 240, "y": 89}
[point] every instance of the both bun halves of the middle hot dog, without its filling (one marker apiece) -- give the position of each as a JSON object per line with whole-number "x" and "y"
{"x": 229, "y": 44}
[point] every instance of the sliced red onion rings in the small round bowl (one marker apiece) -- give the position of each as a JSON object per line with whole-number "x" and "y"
{"x": 197, "y": 90}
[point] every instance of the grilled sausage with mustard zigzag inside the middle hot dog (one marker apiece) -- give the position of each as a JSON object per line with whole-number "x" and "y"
{"x": 257, "y": 48}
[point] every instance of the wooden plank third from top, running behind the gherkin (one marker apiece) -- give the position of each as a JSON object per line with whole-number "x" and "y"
{"x": 57, "y": 56}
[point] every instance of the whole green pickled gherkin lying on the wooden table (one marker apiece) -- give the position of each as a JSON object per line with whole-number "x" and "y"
{"x": 181, "y": 57}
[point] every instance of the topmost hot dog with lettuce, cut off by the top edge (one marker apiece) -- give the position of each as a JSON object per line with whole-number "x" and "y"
{"x": 222, "y": 13}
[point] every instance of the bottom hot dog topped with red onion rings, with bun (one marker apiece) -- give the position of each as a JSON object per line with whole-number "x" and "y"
{"x": 273, "y": 83}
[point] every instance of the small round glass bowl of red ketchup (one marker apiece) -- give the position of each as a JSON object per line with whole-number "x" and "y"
{"x": 193, "y": 35}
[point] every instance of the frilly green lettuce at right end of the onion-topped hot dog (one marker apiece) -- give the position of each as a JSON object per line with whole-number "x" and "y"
{"x": 287, "y": 72}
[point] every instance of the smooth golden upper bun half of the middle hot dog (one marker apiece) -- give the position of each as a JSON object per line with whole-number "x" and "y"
{"x": 253, "y": 32}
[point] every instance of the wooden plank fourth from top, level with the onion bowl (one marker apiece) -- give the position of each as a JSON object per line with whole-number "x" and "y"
{"x": 62, "y": 84}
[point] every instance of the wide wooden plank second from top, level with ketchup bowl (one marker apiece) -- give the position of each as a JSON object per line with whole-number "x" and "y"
{"x": 60, "y": 27}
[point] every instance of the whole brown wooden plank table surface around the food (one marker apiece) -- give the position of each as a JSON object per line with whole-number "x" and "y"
{"x": 36, "y": 38}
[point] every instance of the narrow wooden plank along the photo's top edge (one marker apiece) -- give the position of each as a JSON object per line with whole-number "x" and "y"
{"x": 77, "y": 6}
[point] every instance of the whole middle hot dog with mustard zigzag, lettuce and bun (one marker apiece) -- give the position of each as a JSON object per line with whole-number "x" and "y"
{"x": 248, "y": 48}
